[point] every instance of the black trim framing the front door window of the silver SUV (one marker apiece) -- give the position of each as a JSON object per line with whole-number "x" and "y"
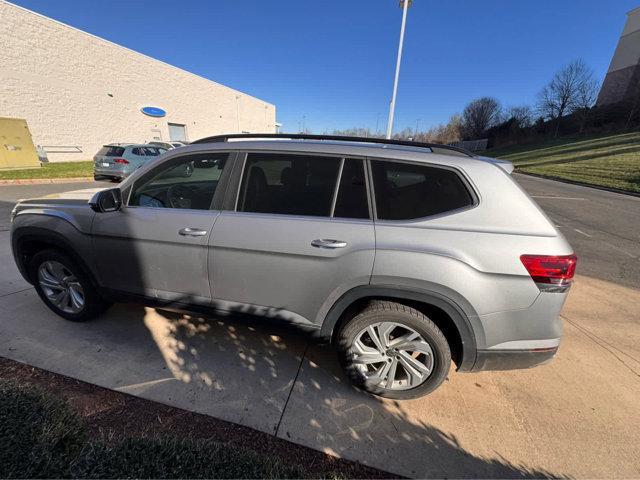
{"x": 218, "y": 195}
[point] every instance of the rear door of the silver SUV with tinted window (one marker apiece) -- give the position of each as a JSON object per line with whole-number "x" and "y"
{"x": 296, "y": 236}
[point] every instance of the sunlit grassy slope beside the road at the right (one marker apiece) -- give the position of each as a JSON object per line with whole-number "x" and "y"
{"x": 605, "y": 160}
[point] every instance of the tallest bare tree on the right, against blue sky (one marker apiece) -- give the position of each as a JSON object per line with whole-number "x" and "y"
{"x": 570, "y": 89}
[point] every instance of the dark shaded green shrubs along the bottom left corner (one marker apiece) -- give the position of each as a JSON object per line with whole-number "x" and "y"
{"x": 42, "y": 437}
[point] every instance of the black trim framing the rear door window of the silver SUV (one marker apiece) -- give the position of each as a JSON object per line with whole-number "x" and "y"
{"x": 230, "y": 203}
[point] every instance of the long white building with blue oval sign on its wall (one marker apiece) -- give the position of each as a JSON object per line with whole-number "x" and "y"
{"x": 79, "y": 92}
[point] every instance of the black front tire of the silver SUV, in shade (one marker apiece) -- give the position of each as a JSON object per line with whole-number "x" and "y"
{"x": 94, "y": 304}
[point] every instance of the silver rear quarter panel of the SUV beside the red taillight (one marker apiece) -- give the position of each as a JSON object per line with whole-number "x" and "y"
{"x": 473, "y": 254}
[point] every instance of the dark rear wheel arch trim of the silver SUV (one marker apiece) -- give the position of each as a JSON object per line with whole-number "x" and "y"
{"x": 446, "y": 313}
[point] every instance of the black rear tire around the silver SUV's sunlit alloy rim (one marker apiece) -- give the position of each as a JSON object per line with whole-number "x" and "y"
{"x": 386, "y": 311}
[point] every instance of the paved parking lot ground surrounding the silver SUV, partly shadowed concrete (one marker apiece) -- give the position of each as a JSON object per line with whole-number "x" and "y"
{"x": 578, "y": 416}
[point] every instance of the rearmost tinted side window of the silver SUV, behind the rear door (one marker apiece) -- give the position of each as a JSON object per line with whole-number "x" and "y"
{"x": 406, "y": 191}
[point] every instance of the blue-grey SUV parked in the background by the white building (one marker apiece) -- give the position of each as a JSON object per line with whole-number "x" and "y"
{"x": 116, "y": 161}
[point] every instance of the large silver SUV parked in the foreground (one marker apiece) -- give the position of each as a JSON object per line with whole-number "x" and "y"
{"x": 405, "y": 256}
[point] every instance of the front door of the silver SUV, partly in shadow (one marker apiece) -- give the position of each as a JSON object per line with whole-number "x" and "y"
{"x": 156, "y": 244}
